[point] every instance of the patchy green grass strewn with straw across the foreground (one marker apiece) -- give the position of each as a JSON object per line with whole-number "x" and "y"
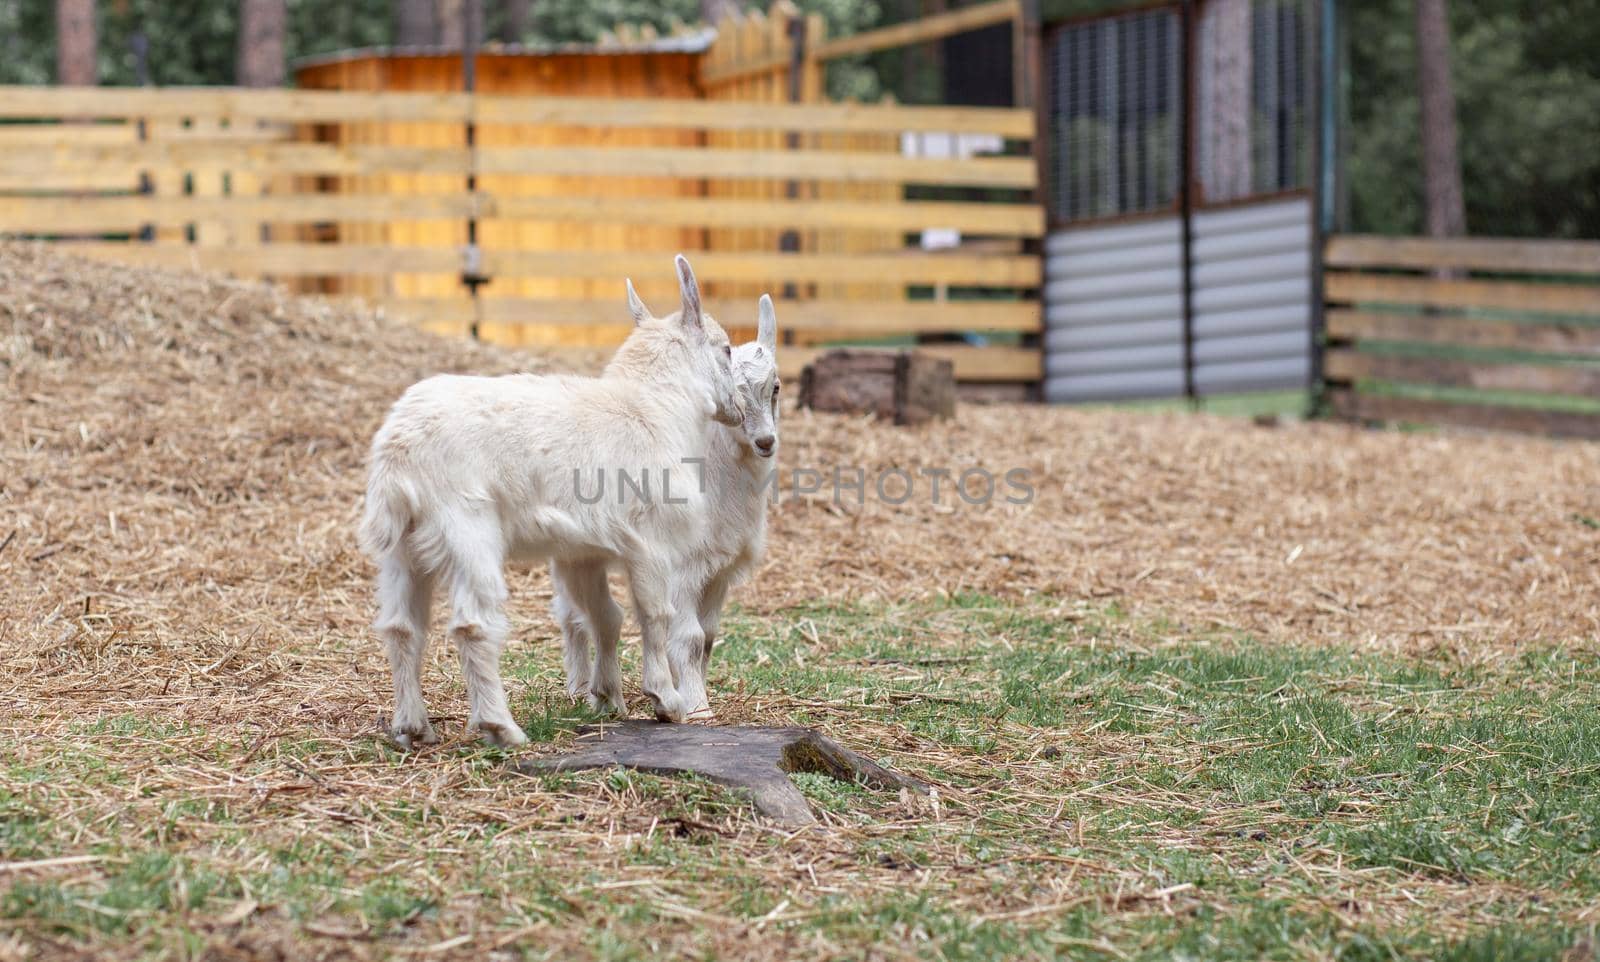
{"x": 1106, "y": 788}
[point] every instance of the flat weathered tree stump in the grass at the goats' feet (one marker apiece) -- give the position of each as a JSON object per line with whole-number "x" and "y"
{"x": 738, "y": 756}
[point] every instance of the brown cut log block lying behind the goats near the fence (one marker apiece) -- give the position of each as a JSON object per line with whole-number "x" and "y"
{"x": 898, "y": 387}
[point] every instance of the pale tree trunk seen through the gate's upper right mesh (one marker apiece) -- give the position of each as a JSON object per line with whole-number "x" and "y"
{"x": 1225, "y": 102}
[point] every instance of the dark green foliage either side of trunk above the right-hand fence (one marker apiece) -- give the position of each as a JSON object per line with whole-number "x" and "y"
{"x": 1527, "y": 105}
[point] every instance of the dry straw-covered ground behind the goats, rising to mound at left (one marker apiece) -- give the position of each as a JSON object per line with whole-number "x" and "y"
{"x": 182, "y": 462}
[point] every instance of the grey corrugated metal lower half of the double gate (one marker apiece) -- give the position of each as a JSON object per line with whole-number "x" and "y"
{"x": 1114, "y": 305}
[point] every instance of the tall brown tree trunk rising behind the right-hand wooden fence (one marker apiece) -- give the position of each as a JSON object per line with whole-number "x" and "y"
{"x": 1447, "y": 214}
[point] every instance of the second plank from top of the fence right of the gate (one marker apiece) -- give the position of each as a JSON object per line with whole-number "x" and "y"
{"x": 1506, "y": 295}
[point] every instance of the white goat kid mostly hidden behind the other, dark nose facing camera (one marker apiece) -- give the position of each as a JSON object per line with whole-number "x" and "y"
{"x": 737, "y": 478}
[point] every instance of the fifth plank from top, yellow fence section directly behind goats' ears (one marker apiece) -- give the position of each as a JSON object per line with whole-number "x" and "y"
{"x": 841, "y": 319}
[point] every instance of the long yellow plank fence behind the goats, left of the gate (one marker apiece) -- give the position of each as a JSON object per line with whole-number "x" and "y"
{"x": 366, "y": 194}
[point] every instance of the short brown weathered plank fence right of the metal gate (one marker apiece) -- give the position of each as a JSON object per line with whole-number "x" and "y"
{"x": 1476, "y": 332}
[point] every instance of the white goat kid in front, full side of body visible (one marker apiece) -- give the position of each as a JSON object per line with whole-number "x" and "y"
{"x": 468, "y": 473}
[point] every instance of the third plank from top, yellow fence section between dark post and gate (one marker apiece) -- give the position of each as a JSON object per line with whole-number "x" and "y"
{"x": 1007, "y": 220}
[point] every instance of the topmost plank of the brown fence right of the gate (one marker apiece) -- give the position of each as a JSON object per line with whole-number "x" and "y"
{"x": 1478, "y": 254}
